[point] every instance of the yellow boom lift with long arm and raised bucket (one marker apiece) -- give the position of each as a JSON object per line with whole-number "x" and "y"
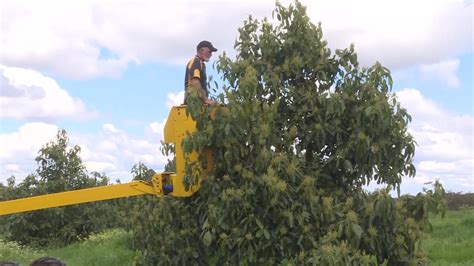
{"x": 179, "y": 124}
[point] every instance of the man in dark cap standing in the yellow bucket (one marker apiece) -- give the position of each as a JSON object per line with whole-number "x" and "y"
{"x": 196, "y": 78}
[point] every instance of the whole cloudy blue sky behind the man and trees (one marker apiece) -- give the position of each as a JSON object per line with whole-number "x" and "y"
{"x": 108, "y": 72}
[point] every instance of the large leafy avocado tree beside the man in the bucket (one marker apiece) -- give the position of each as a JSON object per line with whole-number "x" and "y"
{"x": 302, "y": 131}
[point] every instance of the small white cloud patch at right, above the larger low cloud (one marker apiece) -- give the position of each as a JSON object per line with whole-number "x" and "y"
{"x": 445, "y": 72}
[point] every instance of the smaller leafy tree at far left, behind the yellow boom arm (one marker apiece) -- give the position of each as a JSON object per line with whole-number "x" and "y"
{"x": 59, "y": 169}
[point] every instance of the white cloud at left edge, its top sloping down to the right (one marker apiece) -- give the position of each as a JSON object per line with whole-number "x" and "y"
{"x": 26, "y": 94}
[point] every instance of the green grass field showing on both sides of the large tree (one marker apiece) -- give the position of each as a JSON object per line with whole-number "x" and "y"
{"x": 450, "y": 243}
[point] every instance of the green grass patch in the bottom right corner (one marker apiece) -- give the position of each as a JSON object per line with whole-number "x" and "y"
{"x": 452, "y": 240}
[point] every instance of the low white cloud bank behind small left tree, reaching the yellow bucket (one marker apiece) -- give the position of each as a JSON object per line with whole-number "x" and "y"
{"x": 110, "y": 150}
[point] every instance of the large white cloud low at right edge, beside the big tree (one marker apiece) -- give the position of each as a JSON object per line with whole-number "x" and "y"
{"x": 445, "y": 142}
